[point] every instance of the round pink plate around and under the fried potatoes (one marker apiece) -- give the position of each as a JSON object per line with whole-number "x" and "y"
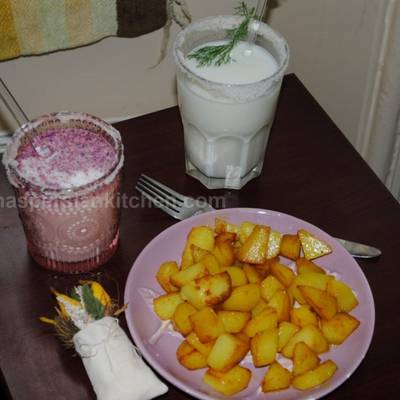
{"x": 141, "y": 287}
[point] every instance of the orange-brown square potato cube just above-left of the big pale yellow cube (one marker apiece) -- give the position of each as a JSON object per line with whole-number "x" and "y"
{"x": 206, "y": 324}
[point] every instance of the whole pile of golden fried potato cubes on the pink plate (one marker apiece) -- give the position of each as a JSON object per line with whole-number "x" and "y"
{"x": 233, "y": 294}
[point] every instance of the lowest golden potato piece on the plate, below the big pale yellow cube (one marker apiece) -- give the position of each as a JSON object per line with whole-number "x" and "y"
{"x": 230, "y": 382}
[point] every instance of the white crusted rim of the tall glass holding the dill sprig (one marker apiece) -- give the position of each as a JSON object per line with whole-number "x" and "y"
{"x": 178, "y": 55}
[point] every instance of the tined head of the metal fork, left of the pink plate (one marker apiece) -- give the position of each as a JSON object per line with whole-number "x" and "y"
{"x": 173, "y": 203}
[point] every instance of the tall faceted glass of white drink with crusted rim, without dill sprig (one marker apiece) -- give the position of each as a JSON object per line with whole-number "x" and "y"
{"x": 227, "y": 110}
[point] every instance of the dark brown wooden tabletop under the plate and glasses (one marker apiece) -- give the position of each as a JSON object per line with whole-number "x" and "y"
{"x": 311, "y": 171}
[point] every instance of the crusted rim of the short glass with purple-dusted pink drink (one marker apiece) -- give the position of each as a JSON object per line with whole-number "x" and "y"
{"x": 64, "y": 193}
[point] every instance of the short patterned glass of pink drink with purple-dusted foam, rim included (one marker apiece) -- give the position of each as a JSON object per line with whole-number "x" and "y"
{"x": 68, "y": 199}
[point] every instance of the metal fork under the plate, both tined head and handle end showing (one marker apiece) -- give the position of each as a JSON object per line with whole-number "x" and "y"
{"x": 181, "y": 207}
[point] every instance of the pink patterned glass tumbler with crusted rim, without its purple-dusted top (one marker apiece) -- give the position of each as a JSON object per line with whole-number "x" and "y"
{"x": 68, "y": 230}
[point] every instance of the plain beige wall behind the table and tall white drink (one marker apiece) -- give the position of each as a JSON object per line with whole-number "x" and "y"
{"x": 330, "y": 43}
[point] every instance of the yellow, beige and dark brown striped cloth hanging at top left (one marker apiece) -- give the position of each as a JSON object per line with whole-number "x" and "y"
{"x": 30, "y": 27}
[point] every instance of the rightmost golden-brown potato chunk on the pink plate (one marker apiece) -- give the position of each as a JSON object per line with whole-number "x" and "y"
{"x": 339, "y": 328}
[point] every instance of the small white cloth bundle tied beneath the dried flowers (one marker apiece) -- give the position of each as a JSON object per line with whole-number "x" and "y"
{"x": 114, "y": 368}
